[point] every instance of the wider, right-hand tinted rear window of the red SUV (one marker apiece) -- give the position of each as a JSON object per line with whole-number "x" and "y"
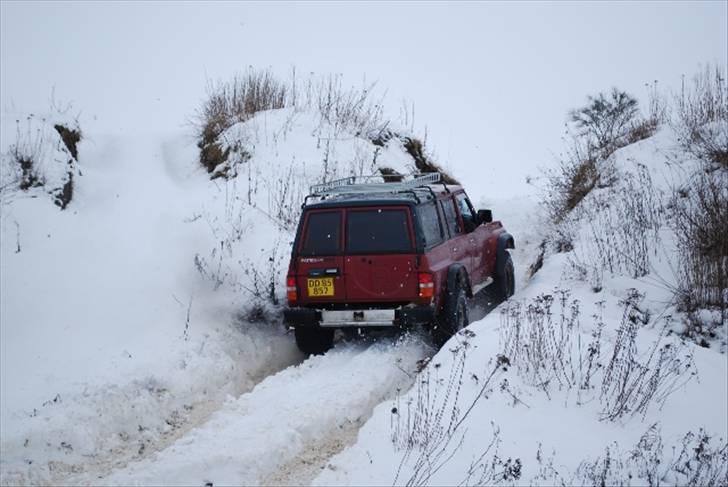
{"x": 377, "y": 231}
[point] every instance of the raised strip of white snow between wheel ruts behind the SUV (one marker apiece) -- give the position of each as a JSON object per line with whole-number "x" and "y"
{"x": 287, "y": 416}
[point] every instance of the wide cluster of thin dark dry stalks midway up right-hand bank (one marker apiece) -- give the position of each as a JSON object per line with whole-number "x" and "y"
{"x": 544, "y": 342}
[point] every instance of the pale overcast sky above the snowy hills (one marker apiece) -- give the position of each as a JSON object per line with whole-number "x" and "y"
{"x": 492, "y": 81}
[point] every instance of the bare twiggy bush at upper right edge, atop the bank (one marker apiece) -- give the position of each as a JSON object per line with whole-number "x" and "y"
{"x": 702, "y": 116}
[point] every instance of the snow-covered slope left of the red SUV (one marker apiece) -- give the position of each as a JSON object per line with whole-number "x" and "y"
{"x": 124, "y": 317}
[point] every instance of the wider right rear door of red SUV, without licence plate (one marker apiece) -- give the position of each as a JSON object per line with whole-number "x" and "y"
{"x": 380, "y": 256}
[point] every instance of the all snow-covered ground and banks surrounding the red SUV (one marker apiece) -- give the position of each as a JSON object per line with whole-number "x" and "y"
{"x": 140, "y": 342}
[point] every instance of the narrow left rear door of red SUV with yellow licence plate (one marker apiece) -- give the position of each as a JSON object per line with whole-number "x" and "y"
{"x": 320, "y": 263}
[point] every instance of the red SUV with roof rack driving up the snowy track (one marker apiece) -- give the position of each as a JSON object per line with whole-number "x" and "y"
{"x": 403, "y": 253}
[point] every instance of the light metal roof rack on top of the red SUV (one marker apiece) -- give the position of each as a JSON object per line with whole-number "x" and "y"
{"x": 373, "y": 184}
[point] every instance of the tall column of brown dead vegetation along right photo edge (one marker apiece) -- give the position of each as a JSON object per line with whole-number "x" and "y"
{"x": 699, "y": 207}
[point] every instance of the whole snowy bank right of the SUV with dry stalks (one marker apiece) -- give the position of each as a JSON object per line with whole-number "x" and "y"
{"x": 483, "y": 412}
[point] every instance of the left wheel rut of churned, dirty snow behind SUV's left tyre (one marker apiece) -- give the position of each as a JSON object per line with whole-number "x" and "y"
{"x": 107, "y": 417}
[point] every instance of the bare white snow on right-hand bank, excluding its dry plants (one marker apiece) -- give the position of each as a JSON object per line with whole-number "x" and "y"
{"x": 553, "y": 431}
